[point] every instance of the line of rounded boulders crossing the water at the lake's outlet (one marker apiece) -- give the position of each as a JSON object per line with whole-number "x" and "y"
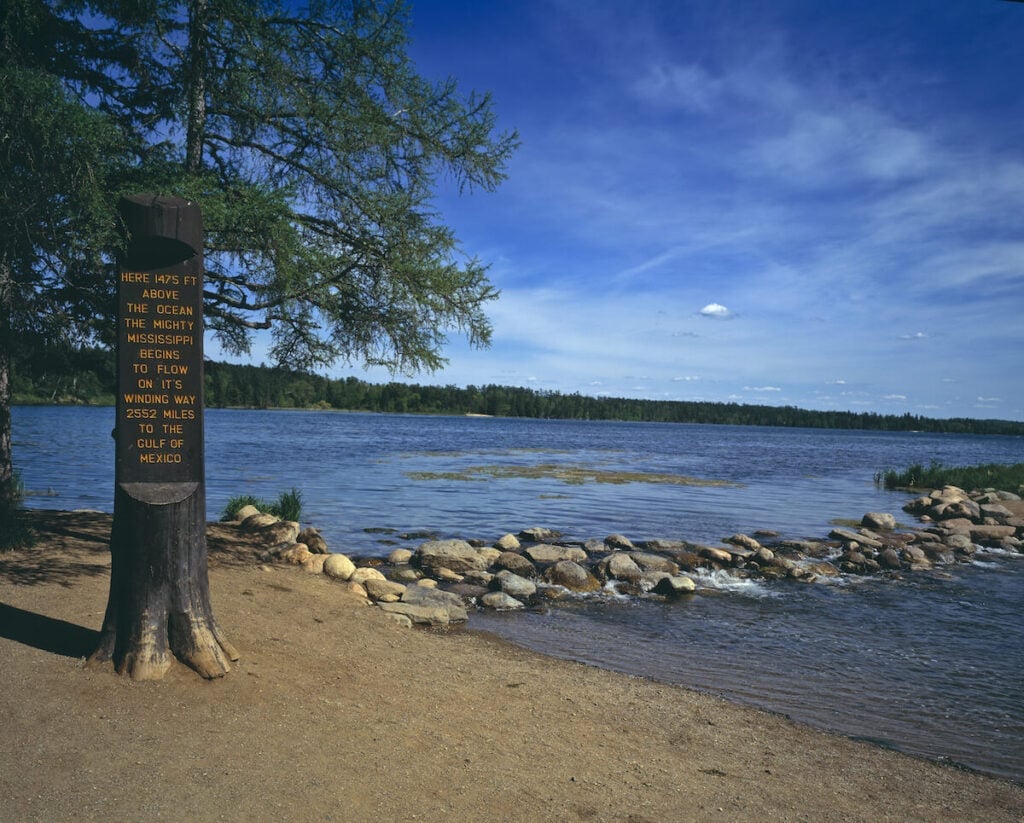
{"x": 438, "y": 582}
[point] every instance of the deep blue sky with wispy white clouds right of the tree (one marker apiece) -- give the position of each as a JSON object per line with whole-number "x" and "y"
{"x": 812, "y": 203}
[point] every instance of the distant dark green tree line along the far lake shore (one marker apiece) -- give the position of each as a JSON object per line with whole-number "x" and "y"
{"x": 89, "y": 376}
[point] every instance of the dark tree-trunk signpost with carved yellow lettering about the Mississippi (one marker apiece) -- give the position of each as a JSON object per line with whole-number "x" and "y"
{"x": 159, "y": 602}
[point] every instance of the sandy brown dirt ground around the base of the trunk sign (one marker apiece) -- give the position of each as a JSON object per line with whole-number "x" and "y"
{"x": 335, "y": 714}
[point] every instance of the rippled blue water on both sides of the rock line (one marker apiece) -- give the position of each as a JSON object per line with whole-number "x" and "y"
{"x": 928, "y": 665}
